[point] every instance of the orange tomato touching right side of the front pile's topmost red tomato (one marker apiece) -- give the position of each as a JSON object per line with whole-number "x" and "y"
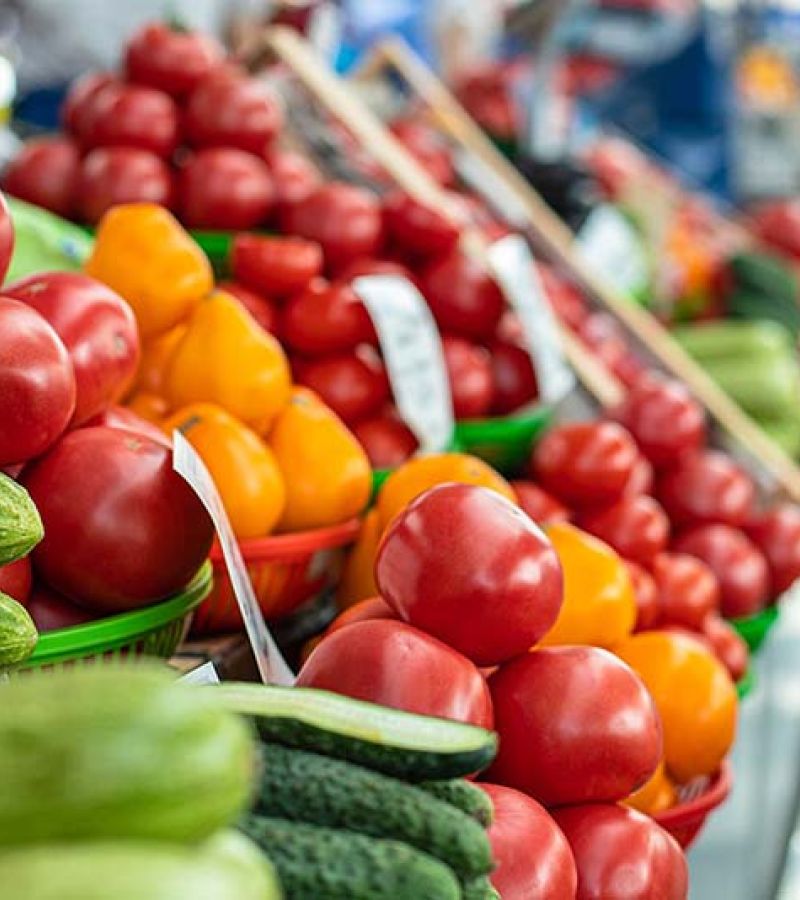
{"x": 599, "y": 605}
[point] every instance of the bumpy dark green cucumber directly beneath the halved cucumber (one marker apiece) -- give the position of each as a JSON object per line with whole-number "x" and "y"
{"x": 307, "y": 787}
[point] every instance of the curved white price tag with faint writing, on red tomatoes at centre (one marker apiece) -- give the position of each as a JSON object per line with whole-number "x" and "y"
{"x": 412, "y": 350}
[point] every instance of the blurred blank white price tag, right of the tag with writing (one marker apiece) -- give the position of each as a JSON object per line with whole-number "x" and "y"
{"x": 515, "y": 271}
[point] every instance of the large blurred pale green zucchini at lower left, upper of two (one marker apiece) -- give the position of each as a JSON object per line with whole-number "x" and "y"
{"x": 119, "y": 751}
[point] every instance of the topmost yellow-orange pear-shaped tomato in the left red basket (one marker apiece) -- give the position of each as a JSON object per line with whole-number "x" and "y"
{"x": 144, "y": 254}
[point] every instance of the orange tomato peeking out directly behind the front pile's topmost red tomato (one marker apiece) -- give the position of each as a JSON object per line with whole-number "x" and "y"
{"x": 417, "y": 475}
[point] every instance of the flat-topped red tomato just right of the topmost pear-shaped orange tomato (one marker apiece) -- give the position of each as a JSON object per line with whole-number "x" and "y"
{"x": 275, "y": 266}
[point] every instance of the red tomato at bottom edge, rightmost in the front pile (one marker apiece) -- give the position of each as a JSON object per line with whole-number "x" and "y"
{"x": 623, "y": 854}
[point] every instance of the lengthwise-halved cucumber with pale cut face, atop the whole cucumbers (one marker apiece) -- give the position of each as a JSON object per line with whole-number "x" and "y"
{"x": 408, "y": 746}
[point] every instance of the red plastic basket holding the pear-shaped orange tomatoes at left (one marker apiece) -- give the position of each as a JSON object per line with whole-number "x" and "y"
{"x": 287, "y": 570}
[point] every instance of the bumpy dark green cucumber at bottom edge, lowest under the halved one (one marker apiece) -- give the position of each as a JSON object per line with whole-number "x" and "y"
{"x": 315, "y": 863}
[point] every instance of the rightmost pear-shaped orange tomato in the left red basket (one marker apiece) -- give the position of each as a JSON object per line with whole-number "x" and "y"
{"x": 327, "y": 474}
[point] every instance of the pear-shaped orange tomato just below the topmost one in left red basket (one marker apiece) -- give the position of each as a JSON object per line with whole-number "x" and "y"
{"x": 225, "y": 357}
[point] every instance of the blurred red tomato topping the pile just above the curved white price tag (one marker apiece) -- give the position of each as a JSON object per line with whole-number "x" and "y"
{"x": 345, "y": 220}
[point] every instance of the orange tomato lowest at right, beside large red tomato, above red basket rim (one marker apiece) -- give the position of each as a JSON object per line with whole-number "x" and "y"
{"x": 694, "y": 695}
